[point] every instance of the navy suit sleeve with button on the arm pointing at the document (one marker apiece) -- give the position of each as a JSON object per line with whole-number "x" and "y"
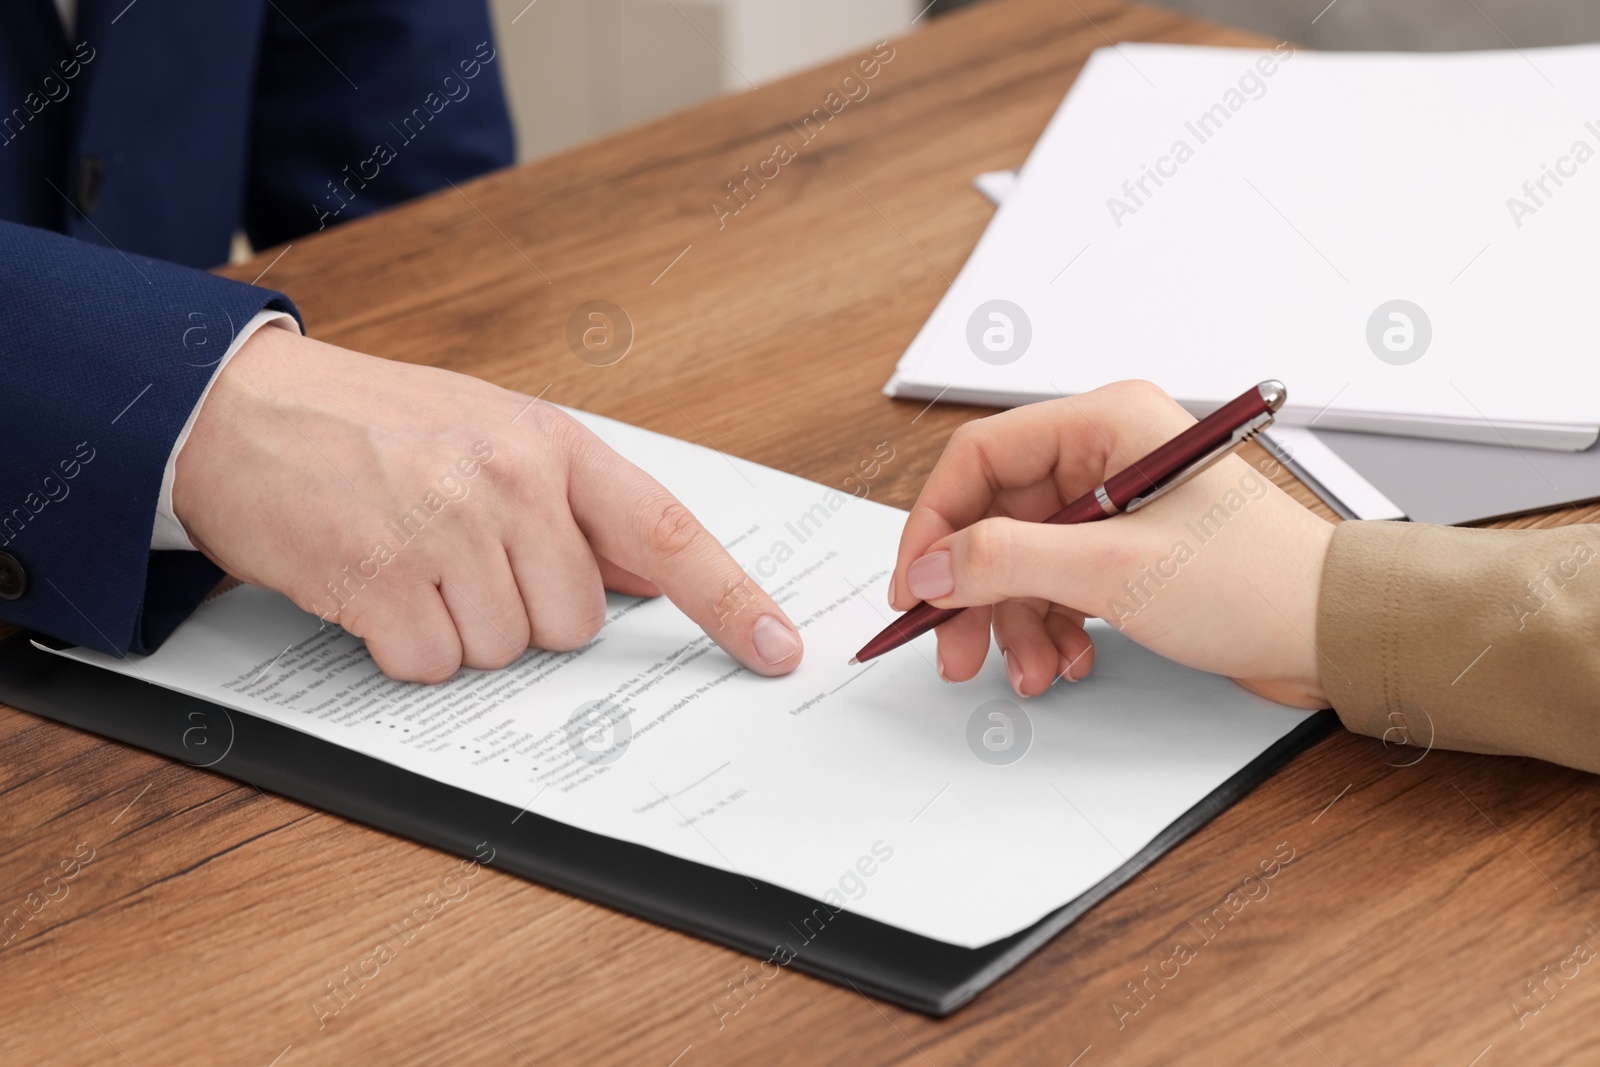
{"x": 103, "y": 358}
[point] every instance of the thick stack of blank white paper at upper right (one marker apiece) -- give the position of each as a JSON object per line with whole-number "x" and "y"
{"x": 1209, "y": 218}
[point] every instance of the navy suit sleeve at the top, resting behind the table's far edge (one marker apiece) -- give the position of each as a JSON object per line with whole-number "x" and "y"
{"x": 362, "y": 105}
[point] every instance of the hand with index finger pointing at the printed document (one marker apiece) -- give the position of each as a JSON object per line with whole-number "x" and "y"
{"x": 442, "y": 519}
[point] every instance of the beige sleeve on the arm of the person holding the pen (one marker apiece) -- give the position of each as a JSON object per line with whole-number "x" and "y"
{"x": 1486, "y": 641}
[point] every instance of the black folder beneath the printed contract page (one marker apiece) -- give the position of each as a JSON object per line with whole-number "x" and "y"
{"x": 878, "y": 959}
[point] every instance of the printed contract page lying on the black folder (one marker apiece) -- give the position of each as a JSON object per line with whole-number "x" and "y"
{"x": 850, "y": 785}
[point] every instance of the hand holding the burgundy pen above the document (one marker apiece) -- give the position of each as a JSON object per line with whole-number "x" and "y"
{"x": 1220, "y": 573}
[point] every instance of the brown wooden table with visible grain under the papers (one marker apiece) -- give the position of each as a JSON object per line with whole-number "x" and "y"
{"x": 1420, "y": 900}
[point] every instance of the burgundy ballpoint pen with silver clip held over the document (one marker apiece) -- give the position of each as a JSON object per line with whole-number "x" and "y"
{"x": 1162, "y": 471}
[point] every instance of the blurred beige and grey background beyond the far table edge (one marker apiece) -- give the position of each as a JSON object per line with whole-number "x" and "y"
{"x": 578, "y": 70}
